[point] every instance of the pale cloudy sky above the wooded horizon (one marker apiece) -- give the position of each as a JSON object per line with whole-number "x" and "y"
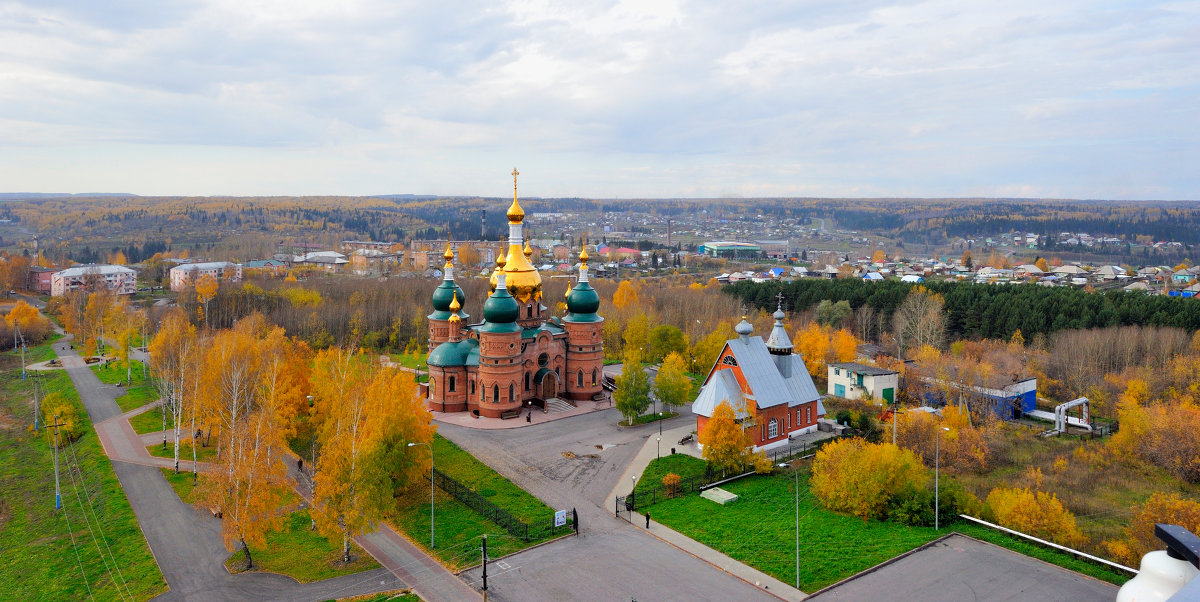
{"x": 645, "y": 99}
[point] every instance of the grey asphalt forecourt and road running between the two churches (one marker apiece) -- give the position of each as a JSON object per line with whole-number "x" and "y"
{"x": 575, "y": 463}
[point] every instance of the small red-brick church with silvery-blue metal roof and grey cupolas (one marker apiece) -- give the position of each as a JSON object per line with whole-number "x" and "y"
{"x": 765, "y": 383}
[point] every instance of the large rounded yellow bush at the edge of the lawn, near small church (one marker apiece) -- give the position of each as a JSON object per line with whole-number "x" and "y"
{"x": 860, "y": 478}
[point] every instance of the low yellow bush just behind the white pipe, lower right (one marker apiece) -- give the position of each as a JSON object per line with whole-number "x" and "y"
{"x": 1037, "y": 514}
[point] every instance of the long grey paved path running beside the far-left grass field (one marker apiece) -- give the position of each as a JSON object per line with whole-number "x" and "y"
{"x": 187, "y": 544}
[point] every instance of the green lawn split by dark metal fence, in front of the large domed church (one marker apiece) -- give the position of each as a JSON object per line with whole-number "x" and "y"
{"x": 460, "y": 529}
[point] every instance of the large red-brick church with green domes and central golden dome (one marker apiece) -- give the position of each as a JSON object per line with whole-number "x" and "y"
{"x": 519, "y": 356}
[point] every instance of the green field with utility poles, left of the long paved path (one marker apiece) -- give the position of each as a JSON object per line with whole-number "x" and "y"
{"x": 40, "y": 559}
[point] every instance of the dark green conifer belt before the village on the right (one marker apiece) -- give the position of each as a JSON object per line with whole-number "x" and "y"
{"x": 980, "y": 311}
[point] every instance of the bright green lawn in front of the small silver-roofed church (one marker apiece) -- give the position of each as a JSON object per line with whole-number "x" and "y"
{"x": 760, "y": 531}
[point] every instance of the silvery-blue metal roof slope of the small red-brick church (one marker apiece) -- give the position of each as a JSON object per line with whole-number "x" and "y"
{"x": 764, "y": 377}
